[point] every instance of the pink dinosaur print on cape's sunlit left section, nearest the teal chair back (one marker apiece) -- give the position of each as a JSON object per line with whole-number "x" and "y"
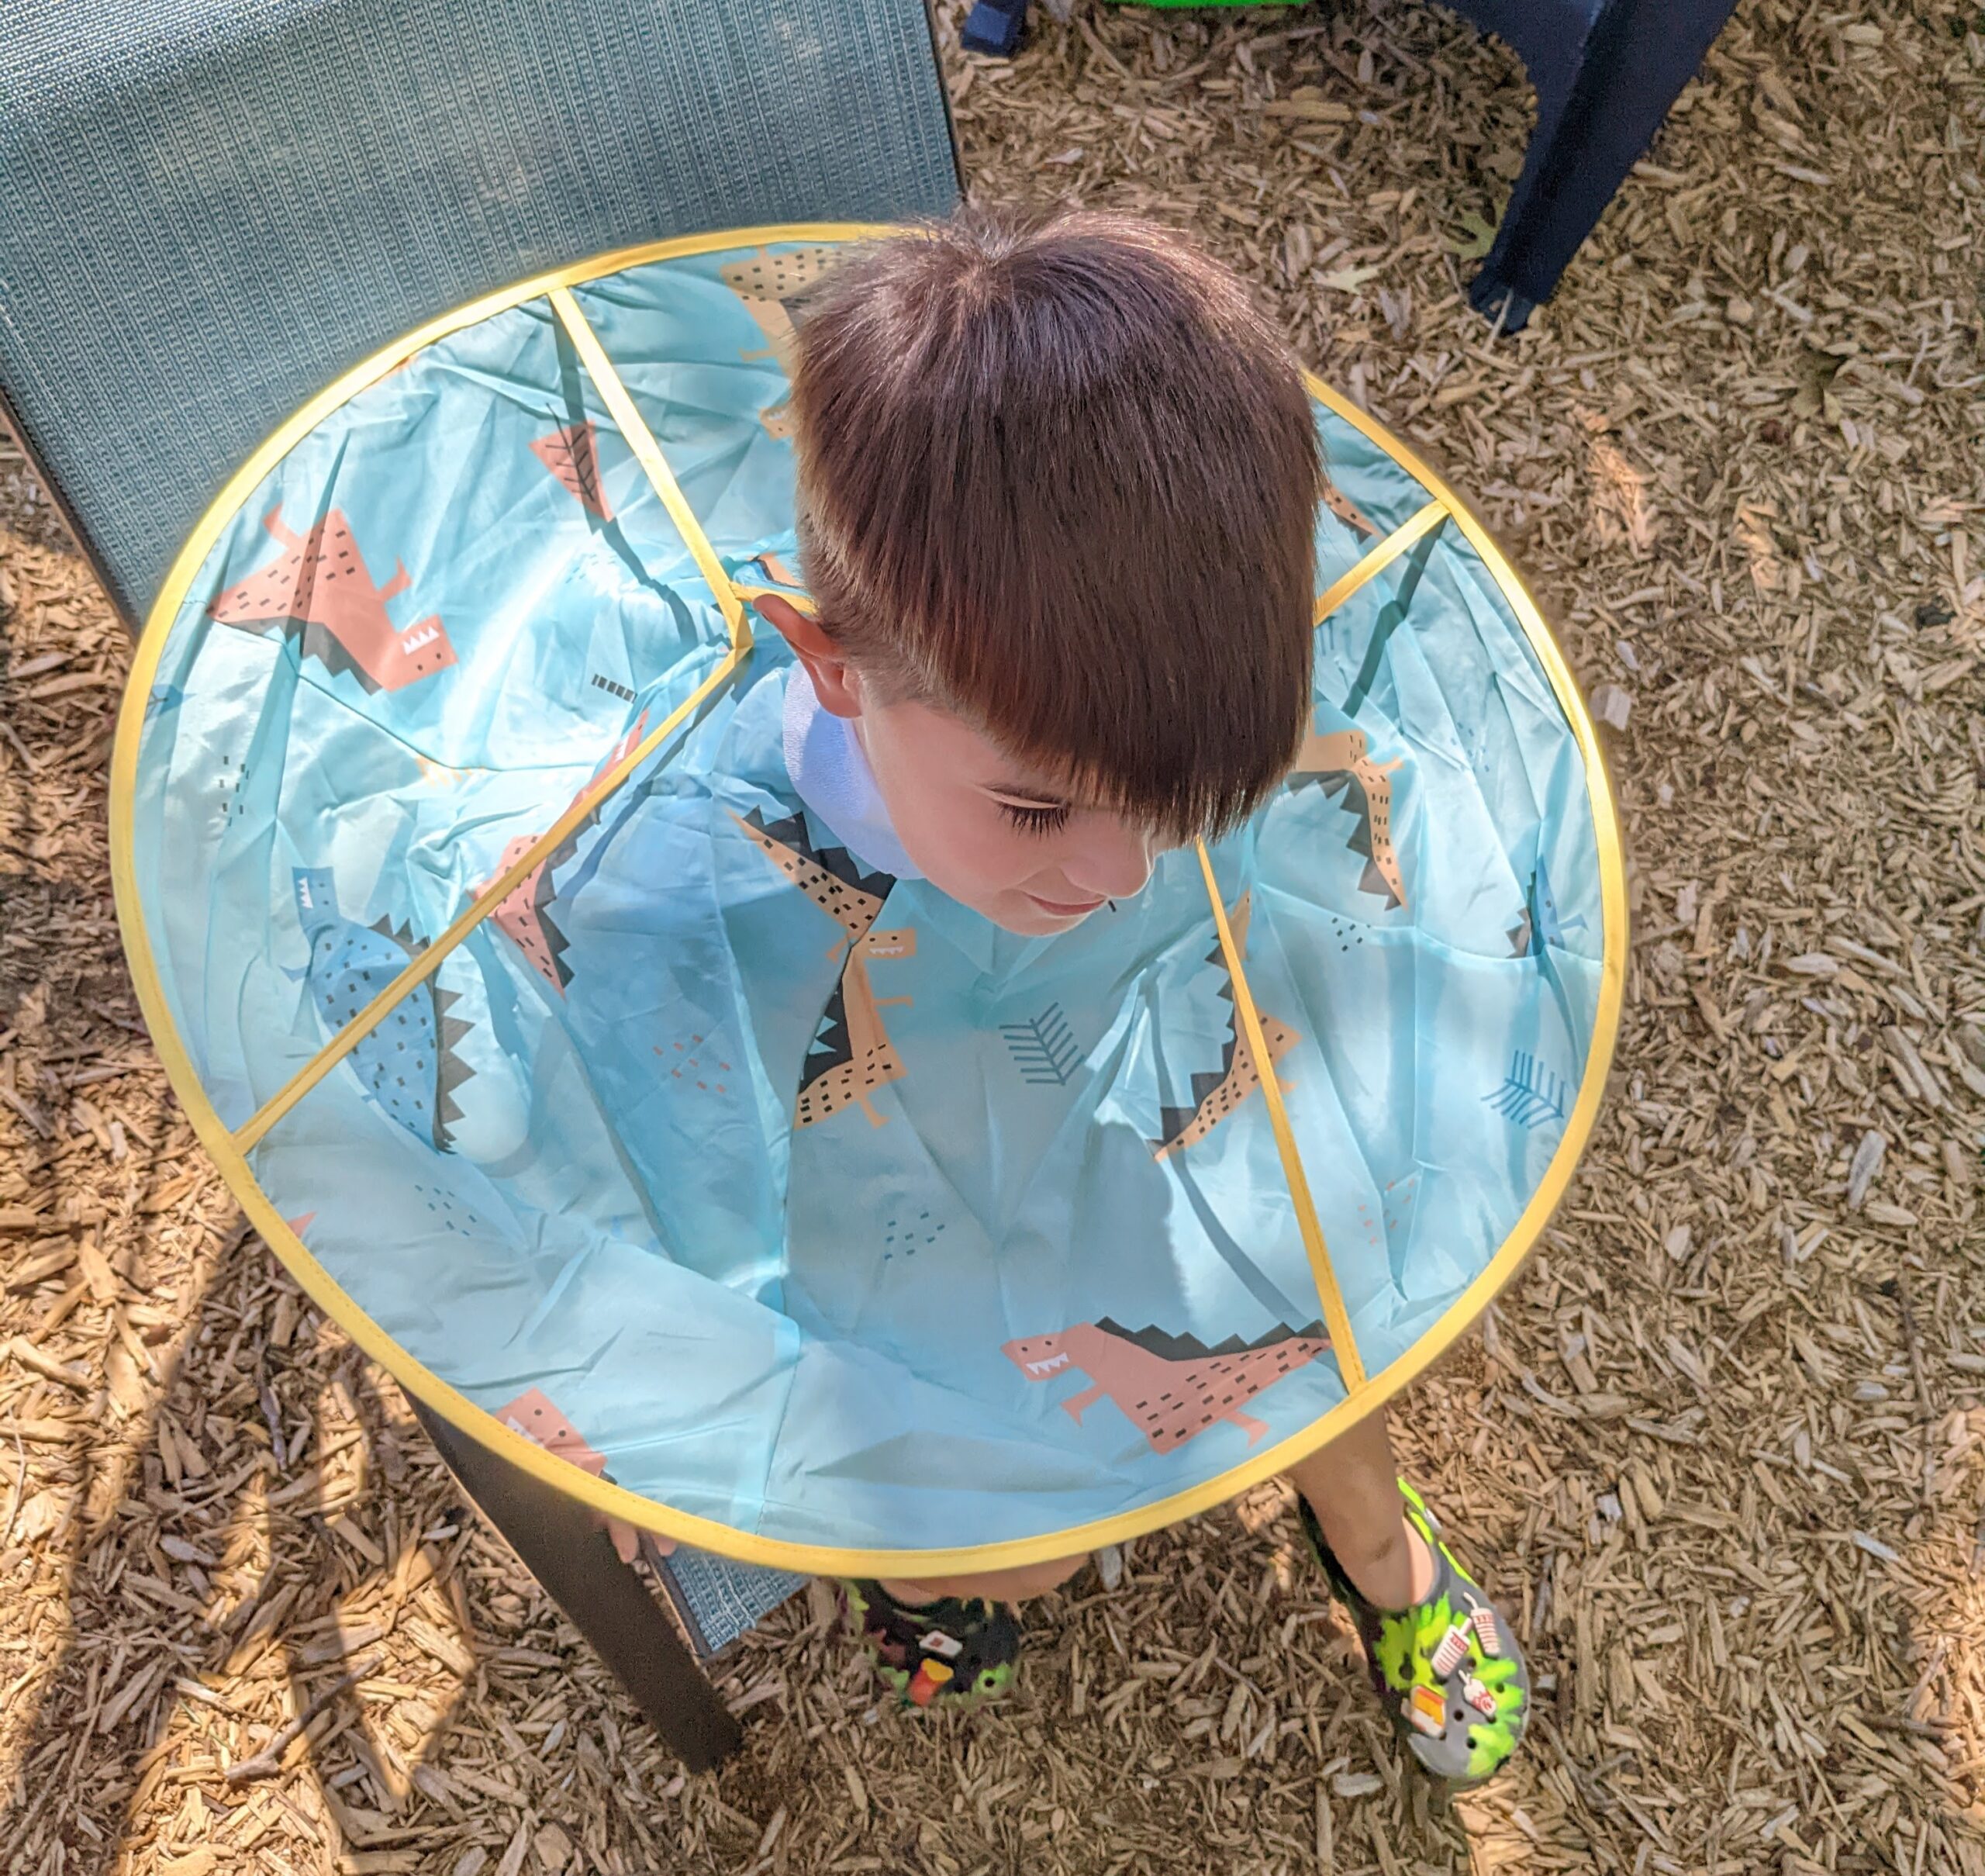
{"x": 319, "y": 591}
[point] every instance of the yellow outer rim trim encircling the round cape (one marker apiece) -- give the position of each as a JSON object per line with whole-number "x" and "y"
{"x": 614, "y": 1500}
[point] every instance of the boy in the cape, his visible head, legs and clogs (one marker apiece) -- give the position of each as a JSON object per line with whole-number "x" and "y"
{"x": 1057, "y": 487}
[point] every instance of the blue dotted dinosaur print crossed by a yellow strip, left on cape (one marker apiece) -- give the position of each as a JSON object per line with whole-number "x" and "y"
{"x": 408, "y": 1063}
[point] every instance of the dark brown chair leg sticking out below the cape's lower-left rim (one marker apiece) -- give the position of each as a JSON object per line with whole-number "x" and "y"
{"x": 604, "y": 1601}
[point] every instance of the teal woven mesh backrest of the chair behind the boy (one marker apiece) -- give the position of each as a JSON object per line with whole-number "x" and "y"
{"x": 215, "y": 207}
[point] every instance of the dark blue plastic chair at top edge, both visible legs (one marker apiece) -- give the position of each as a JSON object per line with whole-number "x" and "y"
{"x": 1605, "y": 72}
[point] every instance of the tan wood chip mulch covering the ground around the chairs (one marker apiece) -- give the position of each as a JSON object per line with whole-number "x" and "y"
{"x": 1722, "y": 1446}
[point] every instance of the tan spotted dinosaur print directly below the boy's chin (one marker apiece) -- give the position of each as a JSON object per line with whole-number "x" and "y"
{"x": 853, "y": 1053}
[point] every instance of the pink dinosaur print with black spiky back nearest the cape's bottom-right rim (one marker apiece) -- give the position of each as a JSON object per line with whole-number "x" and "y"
{"x": 1172, "y": 1387}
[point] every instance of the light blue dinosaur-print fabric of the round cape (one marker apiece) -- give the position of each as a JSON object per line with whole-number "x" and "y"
{"x": 771, "y": 1188}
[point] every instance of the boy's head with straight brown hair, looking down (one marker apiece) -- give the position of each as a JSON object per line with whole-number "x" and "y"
{"x": 1057, "y": 487}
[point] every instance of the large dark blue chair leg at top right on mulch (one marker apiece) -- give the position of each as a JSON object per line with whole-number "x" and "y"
{"x": 1593, "y": 126}
